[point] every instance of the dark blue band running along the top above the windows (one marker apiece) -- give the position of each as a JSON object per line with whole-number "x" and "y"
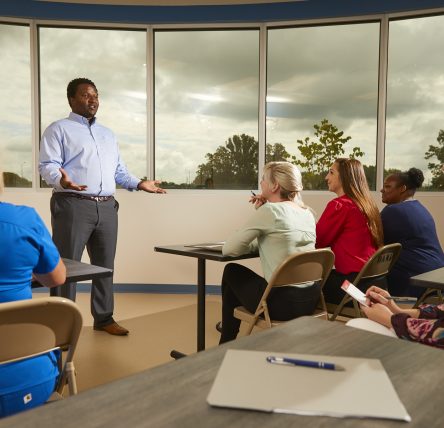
{"x": 308, "y": 9}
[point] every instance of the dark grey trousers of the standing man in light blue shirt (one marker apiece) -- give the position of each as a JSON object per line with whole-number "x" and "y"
{"x": 79, "y": 223}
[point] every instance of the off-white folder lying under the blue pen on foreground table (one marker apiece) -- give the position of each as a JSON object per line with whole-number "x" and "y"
{"x": 246, "y": 380}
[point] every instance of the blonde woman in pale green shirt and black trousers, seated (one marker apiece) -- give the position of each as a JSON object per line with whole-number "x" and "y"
{"x": 280, "y": 226}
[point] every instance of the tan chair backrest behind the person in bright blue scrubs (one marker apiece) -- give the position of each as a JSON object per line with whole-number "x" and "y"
{"x": 33, "y": 327}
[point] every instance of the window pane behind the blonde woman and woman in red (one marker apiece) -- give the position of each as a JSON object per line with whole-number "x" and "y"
{"x": 325, "y": 76}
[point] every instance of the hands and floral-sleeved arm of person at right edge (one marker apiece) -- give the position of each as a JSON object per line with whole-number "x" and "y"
{"x": 423, "y": 325}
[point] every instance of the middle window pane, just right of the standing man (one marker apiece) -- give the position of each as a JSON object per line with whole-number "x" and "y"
{"x": 206, "y": 108}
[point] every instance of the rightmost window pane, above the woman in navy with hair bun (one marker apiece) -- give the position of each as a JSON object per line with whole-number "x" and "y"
{"x": 415, "y": 99}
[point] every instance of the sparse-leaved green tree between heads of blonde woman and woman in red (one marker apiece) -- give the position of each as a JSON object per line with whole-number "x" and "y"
{"x": 318, "y": 155}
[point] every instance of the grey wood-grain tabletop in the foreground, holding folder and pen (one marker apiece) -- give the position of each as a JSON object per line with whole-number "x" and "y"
{"x": 174, "y": 394}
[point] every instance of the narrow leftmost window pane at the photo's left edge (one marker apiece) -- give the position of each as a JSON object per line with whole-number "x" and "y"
{"x": 15, "y": 106}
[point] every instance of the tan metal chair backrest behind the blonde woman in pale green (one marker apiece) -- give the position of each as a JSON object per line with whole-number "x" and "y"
{"x": 309, "y": 266}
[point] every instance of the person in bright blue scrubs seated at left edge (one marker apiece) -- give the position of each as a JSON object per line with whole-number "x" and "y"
{"x": 26, "y": 250}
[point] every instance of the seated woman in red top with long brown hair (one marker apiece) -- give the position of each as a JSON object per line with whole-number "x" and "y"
{"x": 350, "y": 225}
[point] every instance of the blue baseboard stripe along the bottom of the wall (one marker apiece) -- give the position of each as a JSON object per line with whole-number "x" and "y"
{"x": 146, "y": 288}
